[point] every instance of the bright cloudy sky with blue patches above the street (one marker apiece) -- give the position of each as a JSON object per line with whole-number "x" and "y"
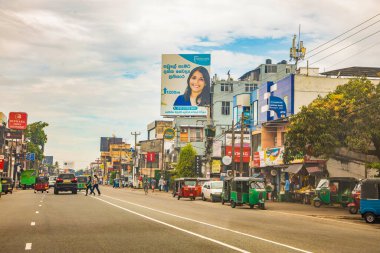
{"x": 93, "y": 68}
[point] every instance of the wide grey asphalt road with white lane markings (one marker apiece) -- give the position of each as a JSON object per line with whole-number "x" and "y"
{"x": 127, "y": 220}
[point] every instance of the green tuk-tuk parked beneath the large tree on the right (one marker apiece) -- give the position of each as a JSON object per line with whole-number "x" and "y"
{"x": 334, "y": 190}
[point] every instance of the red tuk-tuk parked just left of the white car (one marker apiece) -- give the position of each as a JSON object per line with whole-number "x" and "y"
{"x": 186, "y": 188}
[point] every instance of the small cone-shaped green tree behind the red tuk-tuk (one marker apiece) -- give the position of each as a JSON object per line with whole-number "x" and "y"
{"x": 185, "y": 166}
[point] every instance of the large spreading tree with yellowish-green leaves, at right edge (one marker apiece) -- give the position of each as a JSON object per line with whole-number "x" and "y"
{"x": 347, "y": 117}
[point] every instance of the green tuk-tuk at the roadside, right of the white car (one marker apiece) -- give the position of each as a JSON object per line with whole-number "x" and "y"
{"x": 248, "y": 190}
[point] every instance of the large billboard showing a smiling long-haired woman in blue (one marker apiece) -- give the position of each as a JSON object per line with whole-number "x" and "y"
{"x": 185, "y": 84}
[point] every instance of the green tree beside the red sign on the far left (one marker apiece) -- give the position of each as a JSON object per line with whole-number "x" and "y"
{"x": 37, "y": 139}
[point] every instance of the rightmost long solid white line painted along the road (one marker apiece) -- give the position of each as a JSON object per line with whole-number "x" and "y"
{"x": 211, "y": 225}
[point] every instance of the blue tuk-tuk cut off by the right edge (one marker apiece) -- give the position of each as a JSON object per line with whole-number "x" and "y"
{"x": 370, "y": 200}
